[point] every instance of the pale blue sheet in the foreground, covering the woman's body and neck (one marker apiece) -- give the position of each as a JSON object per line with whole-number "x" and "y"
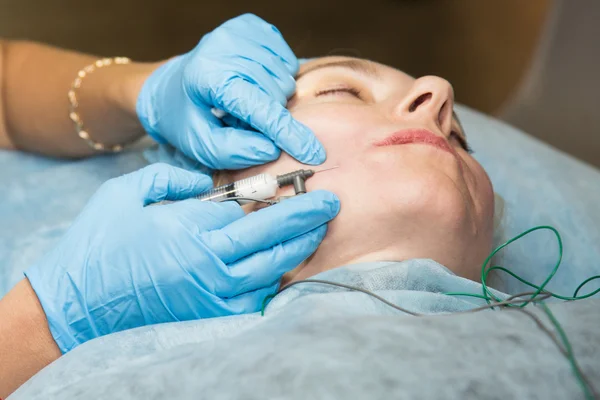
{"x": 323, "y": 342}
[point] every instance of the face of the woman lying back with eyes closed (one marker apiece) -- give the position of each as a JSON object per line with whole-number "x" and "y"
{"x": 407, "y": 184}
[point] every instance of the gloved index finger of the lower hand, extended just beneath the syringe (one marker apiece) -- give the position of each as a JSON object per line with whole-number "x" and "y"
{"x": 272, "y": 226}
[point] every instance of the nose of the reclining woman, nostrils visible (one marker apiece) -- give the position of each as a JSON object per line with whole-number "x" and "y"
{"x": 430, "y": 100}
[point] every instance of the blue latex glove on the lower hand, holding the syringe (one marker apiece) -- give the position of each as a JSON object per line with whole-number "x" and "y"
{"x": 123, "y": 265}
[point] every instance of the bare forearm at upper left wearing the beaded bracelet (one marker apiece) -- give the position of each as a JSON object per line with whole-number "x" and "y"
{"x": 35, "y": 80}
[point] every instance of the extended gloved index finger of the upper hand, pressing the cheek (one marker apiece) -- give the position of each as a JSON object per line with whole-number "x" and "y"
{"x": 269, "y": 117}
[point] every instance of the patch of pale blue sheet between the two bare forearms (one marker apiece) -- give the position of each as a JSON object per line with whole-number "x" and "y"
{"x": 40, "y": 200}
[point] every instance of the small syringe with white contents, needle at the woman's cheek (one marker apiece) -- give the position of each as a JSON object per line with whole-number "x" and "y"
{"x": 259, "y": 187}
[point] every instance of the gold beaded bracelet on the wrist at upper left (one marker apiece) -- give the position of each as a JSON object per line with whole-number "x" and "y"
{"x": 101, "y": 63}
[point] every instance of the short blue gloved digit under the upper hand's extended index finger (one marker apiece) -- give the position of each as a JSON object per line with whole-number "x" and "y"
{"x": 230, "y": 148}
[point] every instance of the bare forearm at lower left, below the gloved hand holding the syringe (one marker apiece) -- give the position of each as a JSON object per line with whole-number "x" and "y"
{"x": 26, "y": 343}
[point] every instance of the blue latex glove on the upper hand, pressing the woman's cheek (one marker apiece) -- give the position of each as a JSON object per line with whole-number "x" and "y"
{"x": 245, "y": 68}
